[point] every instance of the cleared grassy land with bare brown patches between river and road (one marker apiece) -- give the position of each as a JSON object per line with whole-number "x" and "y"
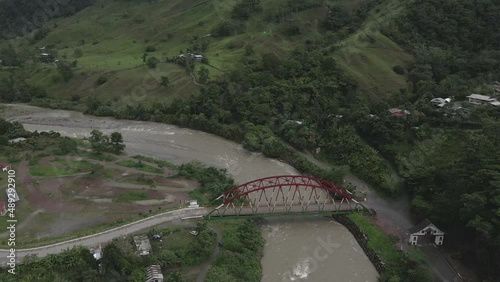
{"x": 63, "y": 194}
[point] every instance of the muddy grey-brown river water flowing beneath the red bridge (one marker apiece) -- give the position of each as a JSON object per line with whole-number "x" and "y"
{"x": 297, "y": 249}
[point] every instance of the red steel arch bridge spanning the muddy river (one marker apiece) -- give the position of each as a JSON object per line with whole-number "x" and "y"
{"x": 285, "y": 195}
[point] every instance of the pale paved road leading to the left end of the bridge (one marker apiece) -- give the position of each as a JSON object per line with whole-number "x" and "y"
{"x": 105, "y": 236}
